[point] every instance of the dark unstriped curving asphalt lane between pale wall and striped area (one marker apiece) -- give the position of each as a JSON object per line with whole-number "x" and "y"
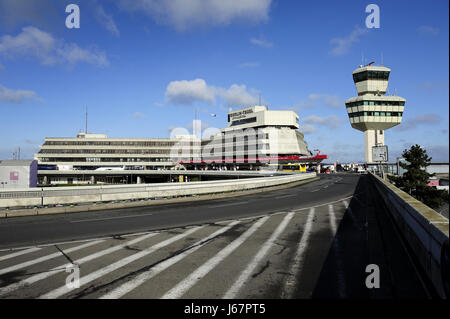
{"x": 37, "y": 230}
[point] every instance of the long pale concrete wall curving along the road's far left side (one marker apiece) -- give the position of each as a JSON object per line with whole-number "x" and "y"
{"x": 72, "y": 195}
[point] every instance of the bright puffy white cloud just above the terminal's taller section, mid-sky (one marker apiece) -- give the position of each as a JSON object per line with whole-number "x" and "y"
{"x": 188, "y": 92}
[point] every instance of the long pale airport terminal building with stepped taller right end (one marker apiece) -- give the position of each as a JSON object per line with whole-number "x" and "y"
{"x": 254, "y": 137}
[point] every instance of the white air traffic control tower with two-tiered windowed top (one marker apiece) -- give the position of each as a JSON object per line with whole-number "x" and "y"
{"x": 372, "y": 111}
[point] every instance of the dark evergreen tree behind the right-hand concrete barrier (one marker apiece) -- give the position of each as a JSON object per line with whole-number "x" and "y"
{"x": 414, "y": 181}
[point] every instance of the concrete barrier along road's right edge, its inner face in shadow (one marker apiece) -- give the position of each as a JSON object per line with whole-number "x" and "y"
{"x": 425, "y": 231}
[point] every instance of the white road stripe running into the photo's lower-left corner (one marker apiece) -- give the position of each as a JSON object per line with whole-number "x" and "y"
{"x": 43, "y": 275}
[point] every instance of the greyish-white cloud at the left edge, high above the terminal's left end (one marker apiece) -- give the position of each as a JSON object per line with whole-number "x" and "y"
{"x": 33, "y": 42}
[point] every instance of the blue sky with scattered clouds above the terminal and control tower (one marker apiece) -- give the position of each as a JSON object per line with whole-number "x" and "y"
{"x": 142, "y": 68}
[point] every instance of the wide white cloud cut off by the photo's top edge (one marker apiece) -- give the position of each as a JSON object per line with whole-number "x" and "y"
{"x": 184, "y": 14}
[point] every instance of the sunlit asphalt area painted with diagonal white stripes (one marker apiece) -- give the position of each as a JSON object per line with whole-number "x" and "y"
{"x": 258, "y": 257}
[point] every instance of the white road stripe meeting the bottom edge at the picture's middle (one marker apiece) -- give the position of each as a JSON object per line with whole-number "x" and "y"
{"x": 243, "y": 278}
